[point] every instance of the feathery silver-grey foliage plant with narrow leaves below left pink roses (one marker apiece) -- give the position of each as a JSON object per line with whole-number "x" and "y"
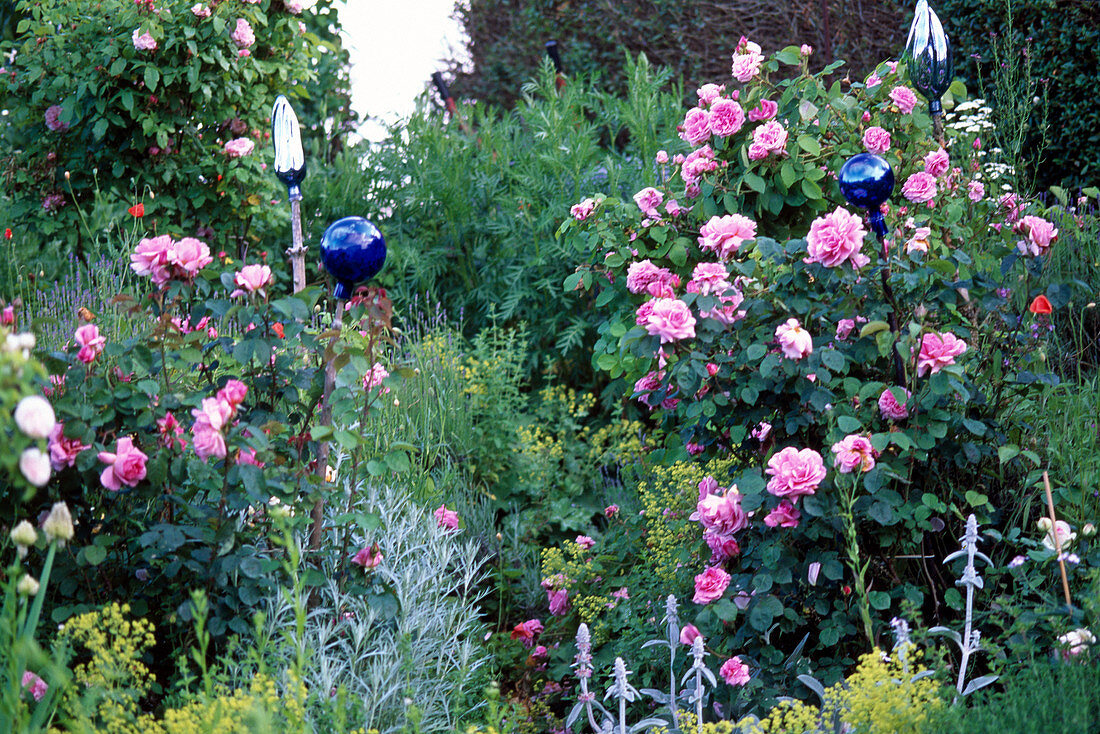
{"x": 404, "y": 669}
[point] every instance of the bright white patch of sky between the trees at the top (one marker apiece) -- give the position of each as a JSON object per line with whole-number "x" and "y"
{"x": 395, "y": 46}
